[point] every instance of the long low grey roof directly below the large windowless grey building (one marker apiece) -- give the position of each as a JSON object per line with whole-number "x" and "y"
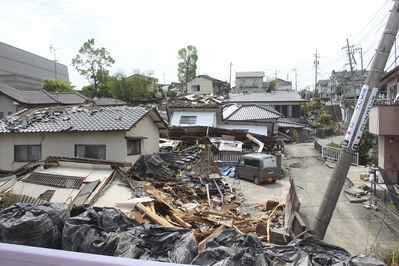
{"x": 41, "y": 96}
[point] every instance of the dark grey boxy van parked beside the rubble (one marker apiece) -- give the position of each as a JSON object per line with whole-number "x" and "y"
{"x": 258, "y": 167}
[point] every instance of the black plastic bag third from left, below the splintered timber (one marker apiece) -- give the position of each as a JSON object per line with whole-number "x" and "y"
{"x": 165, "y": 244}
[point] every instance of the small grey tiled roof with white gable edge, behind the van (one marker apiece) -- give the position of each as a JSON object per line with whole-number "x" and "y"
{"x": 249, "y": 112}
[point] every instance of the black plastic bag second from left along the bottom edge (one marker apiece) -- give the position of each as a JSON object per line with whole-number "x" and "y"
{"x": 98, "y": 231}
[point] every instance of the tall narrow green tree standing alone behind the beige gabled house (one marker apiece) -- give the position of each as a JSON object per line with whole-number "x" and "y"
{"x": 187, "y": 67}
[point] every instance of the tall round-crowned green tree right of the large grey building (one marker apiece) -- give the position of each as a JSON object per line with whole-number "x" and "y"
{"x": 92, "y": 63}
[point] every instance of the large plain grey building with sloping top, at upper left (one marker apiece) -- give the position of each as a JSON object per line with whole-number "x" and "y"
{"x": 25, "y": 71}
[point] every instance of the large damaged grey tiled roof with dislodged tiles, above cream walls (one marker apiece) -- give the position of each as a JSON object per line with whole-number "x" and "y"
{"x": 74, "y": 119}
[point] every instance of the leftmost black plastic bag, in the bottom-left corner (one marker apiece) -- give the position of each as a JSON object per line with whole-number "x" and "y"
{"x": 34, "y": 225}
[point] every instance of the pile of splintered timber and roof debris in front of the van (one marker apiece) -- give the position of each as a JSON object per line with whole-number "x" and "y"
{"x": 187, "y": 196}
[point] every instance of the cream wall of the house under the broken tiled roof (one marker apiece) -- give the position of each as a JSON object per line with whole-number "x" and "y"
{"x": 63, "y": 144}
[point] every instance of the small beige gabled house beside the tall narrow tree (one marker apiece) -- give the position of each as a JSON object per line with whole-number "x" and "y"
{"x": 204, "y": 84}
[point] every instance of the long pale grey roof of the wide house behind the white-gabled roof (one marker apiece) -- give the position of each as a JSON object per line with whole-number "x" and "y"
{"x": 278, "y": 96}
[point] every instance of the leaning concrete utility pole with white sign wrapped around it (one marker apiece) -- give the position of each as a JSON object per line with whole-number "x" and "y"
{"x": 357, "y": 124}
